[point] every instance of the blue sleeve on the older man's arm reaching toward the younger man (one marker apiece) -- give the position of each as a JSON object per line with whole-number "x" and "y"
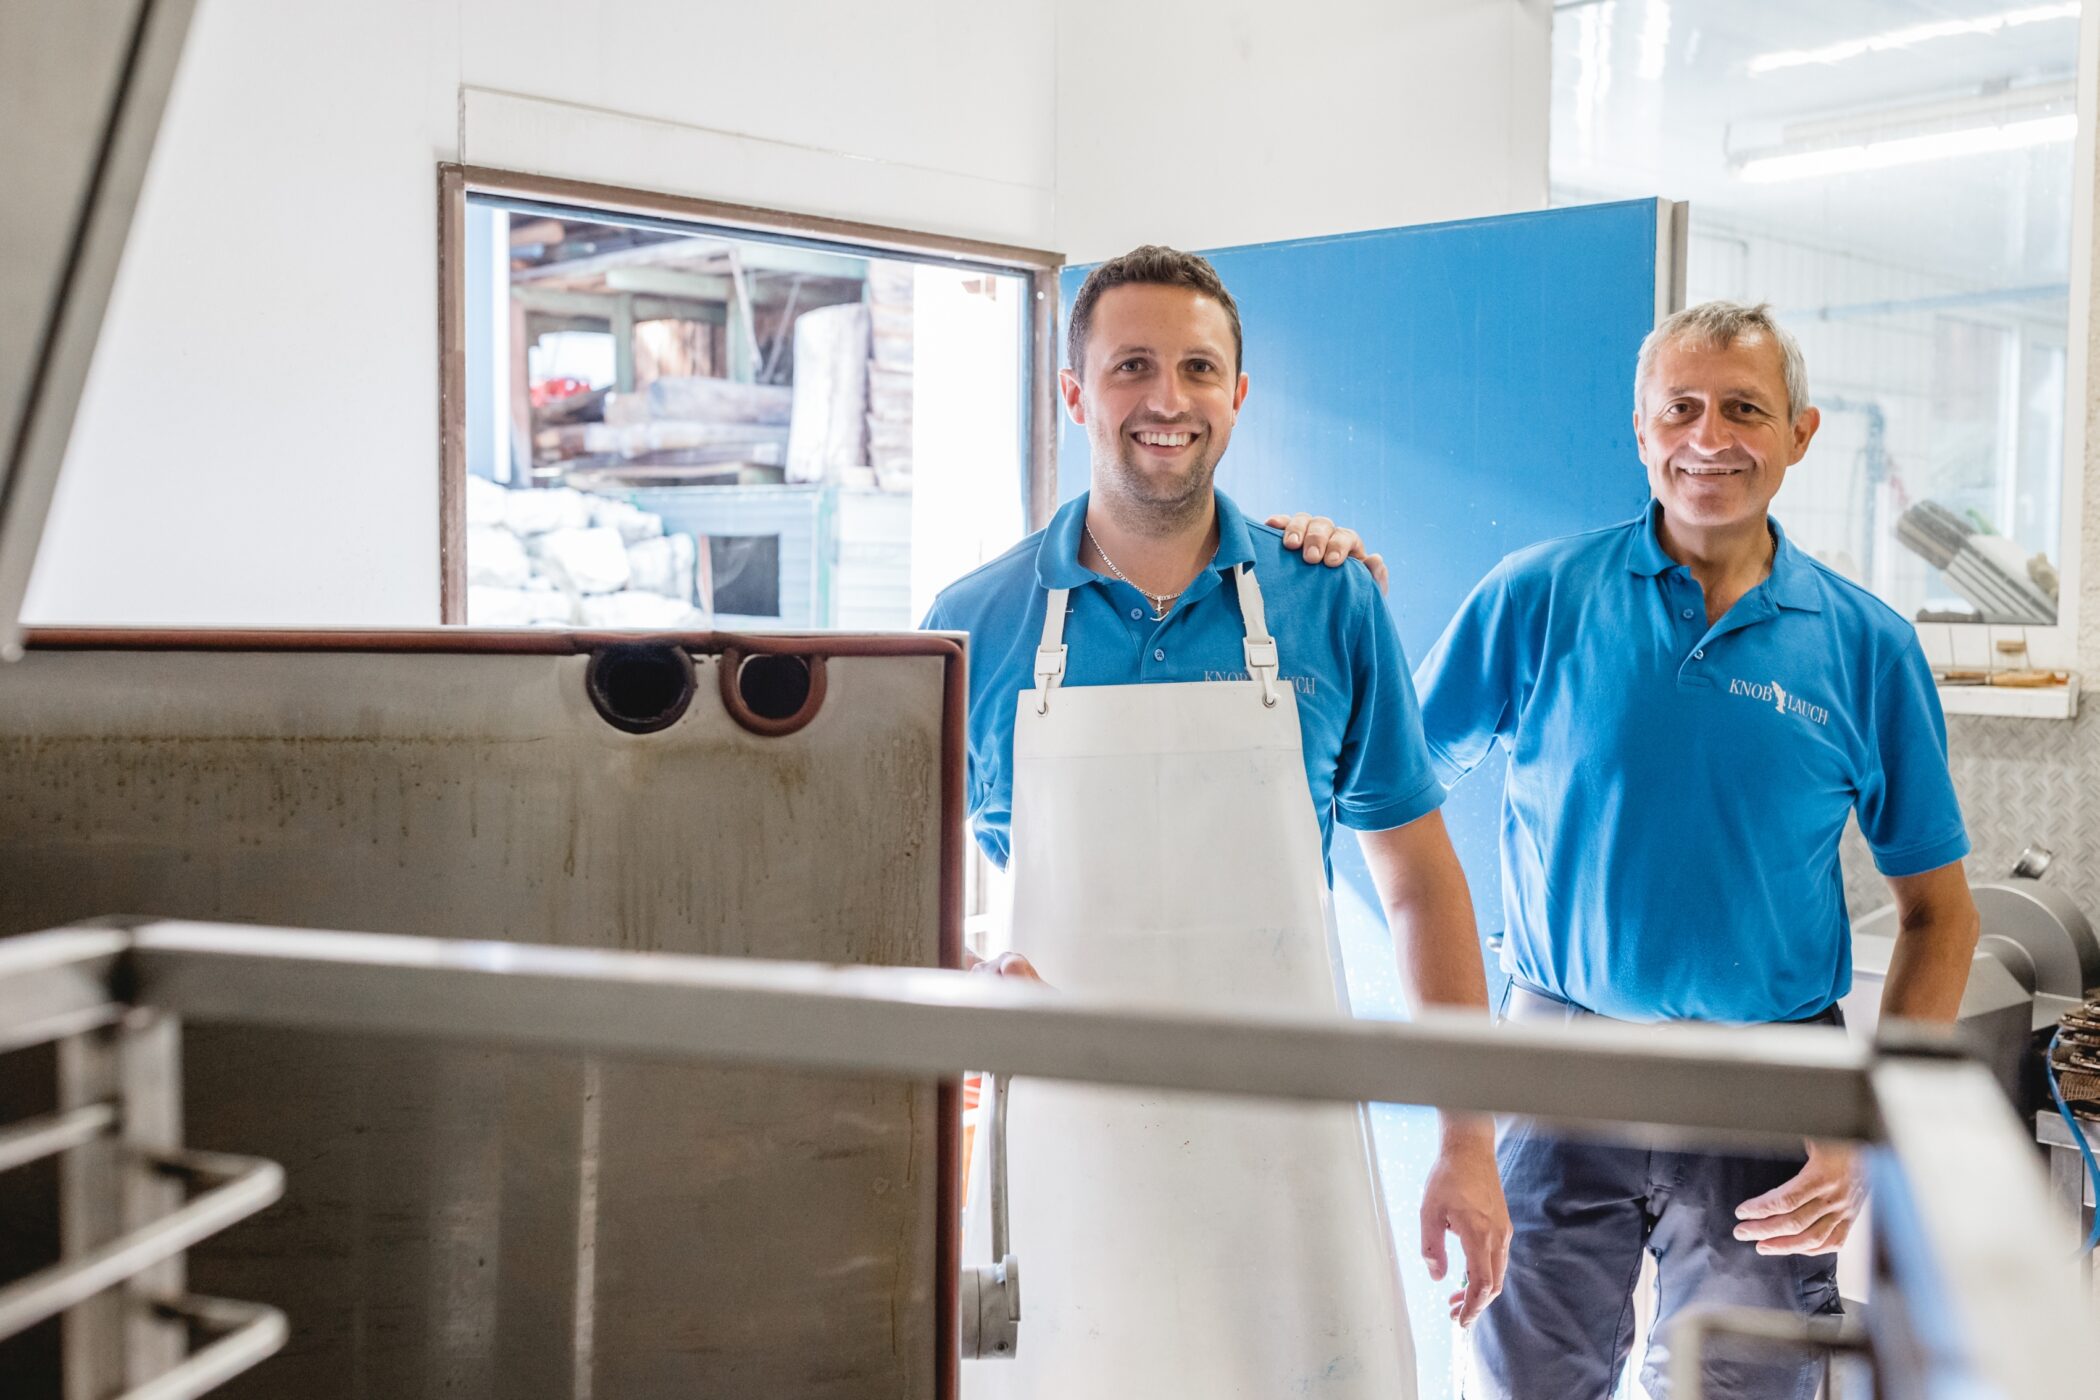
{"x": 1469, "y": 679}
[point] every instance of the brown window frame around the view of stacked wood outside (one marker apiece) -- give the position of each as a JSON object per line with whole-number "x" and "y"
{"x": 459, "y": 182}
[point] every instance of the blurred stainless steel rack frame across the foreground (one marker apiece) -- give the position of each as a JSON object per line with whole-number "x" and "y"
{"x": 1975, "y": 1292}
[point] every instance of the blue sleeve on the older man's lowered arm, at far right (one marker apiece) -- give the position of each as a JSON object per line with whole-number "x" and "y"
{"x": 1908, "y": 807}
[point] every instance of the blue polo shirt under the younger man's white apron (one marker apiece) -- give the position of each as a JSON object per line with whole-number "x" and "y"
{"x": 1366, "y": 763}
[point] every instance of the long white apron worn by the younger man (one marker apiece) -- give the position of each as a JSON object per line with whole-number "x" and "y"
{"x": 1183, "y": 1246}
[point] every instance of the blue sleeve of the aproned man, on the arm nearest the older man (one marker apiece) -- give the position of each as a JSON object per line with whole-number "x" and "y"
{"x": 1383, "y": 778}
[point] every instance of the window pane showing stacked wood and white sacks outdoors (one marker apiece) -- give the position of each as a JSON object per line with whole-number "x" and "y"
{"x": 690, "y": 427}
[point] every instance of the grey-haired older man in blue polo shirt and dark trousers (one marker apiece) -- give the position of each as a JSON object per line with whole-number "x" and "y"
{"x": 1692, "y": 710}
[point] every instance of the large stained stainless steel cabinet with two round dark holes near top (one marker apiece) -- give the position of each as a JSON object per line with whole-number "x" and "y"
{"x": 503, "y": 1227}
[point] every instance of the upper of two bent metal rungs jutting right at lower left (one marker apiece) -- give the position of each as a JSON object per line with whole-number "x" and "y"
{"x": 245, "y": 1187}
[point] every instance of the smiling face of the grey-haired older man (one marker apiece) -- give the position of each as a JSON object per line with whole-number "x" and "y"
{"x": 1717, "y": 431}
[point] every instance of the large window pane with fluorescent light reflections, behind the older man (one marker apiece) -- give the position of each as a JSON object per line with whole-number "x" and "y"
{"x": 1895, "y": 179}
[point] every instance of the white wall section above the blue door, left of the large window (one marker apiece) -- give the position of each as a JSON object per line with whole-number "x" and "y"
{"x": 1219, "y": 123}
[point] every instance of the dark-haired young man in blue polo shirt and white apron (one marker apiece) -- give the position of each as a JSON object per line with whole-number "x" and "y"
{"x": 1169, "y": 715}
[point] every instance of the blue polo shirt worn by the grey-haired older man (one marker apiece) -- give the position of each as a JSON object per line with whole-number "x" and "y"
{"x": 1677, "y": 792}
